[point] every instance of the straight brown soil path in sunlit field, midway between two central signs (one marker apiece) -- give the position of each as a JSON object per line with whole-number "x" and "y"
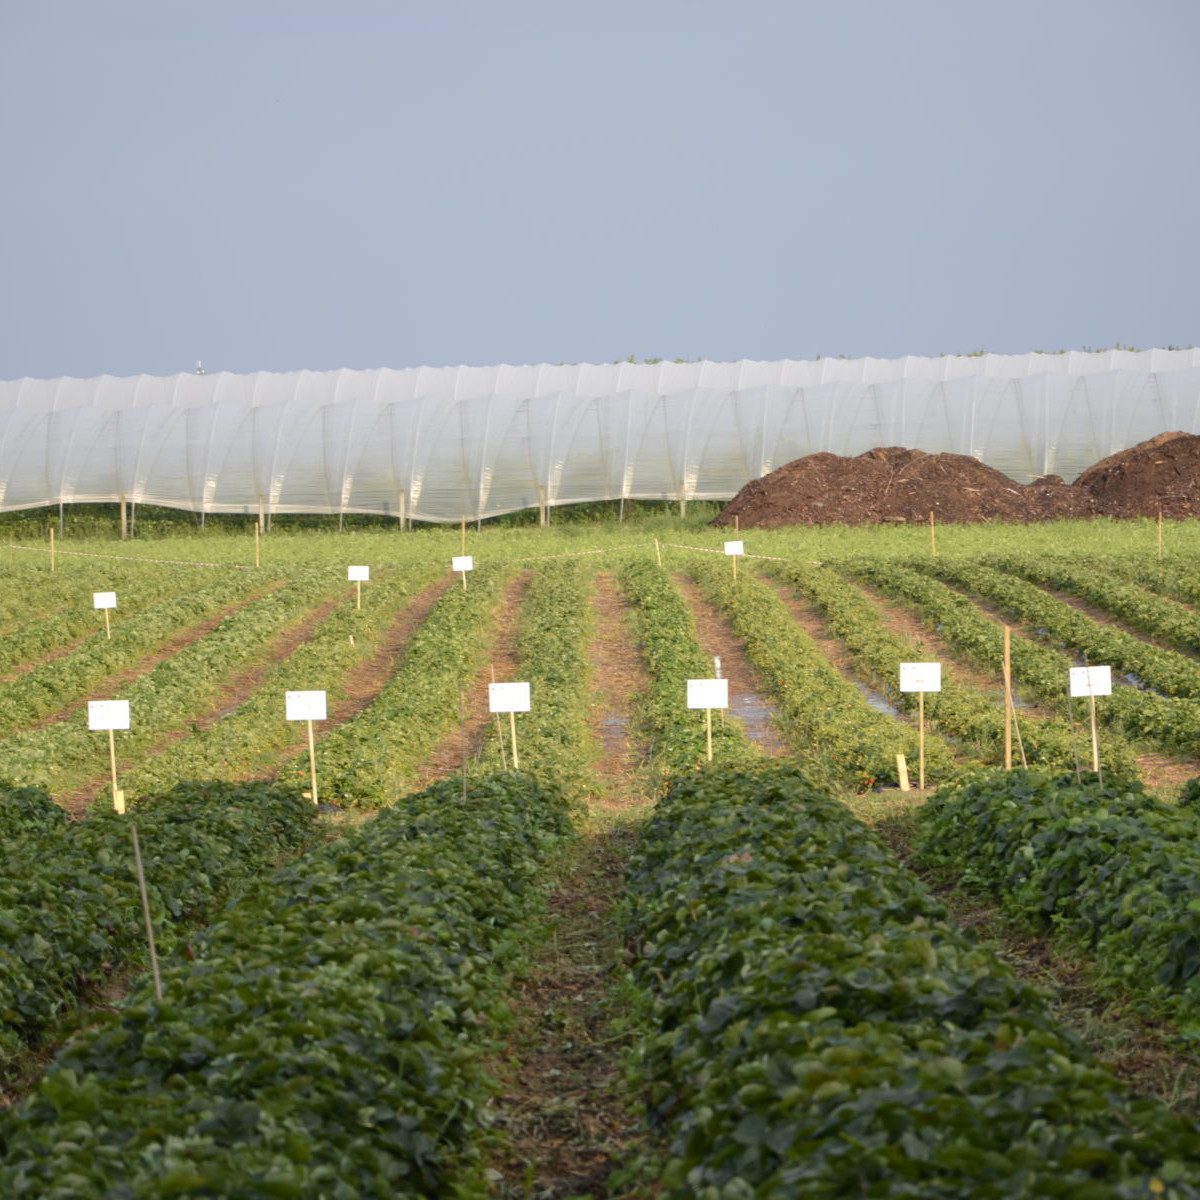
{"x": 620, "y": 676}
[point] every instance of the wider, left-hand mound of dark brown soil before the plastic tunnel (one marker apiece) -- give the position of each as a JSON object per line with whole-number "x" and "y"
{"x": 893, "y": 484}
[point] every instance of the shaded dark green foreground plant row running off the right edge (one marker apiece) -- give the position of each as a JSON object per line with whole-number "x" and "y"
{"x": 1111, "y": 868}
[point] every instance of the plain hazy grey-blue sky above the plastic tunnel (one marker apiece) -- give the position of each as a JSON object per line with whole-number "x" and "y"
{"x": 281, "y": 184}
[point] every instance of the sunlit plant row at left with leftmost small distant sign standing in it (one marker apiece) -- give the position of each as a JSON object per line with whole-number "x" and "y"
{"x": 52, "y": 686}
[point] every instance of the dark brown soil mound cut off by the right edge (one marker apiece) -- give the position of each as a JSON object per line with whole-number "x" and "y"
{"x": 1162, "y": 473}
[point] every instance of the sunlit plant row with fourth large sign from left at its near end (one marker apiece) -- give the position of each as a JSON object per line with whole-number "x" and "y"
{"x": 667, "y": 632}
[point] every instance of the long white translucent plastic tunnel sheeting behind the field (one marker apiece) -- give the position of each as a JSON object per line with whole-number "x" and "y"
{"x": 476, "y": 442}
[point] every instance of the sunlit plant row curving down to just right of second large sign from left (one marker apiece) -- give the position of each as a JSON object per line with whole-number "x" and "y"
{"x": 375, "y": 758}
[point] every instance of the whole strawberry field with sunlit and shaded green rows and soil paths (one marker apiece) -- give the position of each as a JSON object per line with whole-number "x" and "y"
{"x": 622, "y": 970}
